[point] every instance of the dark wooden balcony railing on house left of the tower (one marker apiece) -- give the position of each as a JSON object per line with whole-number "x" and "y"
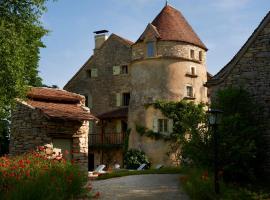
{"x": 106, "y": 139}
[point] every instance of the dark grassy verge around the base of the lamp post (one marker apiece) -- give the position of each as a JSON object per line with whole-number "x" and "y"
{"x": 200, "y": 188}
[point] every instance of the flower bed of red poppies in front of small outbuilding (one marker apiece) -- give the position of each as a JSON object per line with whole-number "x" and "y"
{"x": 35, "y": 175}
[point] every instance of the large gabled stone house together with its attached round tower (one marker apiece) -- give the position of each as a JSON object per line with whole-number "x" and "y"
{"x": 167, "y": 62}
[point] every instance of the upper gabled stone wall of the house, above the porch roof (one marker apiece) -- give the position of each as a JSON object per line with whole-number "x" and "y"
{"x": 103, "y": 89}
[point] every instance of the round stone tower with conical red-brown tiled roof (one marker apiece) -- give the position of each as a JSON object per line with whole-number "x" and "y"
{"x": 168, "y": 63}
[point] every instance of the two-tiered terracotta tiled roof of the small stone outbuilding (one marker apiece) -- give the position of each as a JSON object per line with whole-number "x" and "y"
{"x": 55, "y": 103}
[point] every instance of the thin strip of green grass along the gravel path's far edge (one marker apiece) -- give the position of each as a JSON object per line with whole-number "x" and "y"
{"x": 125, "y": 172}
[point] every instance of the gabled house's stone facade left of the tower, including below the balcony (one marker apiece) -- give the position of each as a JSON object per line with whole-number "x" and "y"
{"x": 102, "y": 90}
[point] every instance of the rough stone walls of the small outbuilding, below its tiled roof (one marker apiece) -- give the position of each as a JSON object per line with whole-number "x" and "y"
{"x": 30, "y": 128}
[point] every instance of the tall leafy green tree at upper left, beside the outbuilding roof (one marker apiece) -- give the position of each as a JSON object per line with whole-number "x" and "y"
{"x": 20, "y": 41}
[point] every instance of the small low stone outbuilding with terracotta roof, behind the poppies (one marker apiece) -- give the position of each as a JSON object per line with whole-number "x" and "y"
{"x": 51, "y": 116}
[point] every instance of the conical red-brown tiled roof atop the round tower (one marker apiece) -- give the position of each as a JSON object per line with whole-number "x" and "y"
{"x": 172, "y": 26}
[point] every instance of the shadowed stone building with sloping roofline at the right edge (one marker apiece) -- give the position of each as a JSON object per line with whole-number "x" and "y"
{"x": 250, "y": 69}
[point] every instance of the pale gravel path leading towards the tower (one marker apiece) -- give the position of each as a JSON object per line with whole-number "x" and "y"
{"x": 147, "y": 187}
